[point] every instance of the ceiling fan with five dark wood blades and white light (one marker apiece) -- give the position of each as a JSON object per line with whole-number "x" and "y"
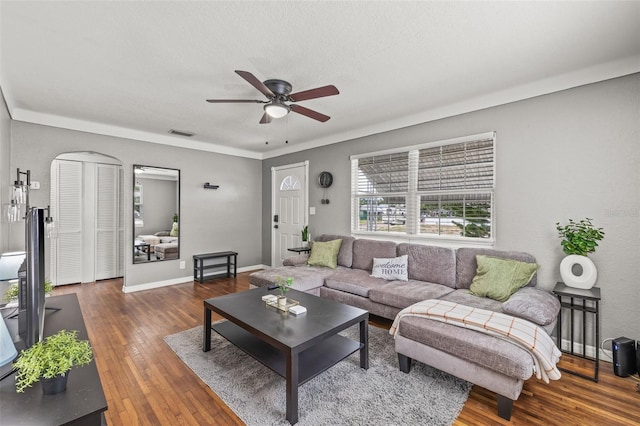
{"x": 278, "y": 92}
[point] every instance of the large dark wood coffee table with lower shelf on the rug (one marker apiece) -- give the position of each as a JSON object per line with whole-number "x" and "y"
{"x": 297, "y": 348}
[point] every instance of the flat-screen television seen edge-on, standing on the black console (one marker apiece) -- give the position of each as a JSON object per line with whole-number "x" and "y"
{"x": 31, "y": 295}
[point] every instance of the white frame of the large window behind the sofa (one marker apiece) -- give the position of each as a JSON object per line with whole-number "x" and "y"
{"x": 413, "y": 195}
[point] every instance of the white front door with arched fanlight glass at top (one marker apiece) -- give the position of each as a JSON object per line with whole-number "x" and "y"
{"x": 289, "y": 209}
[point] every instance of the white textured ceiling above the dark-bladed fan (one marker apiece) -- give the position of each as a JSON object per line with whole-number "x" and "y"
{"x": 137, "y": 69}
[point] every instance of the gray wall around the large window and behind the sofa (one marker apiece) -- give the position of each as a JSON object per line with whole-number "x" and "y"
{"x": 571, "y": 154}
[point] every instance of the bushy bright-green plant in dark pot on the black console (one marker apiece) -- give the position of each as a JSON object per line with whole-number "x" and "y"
{"x": 50, "y": 361}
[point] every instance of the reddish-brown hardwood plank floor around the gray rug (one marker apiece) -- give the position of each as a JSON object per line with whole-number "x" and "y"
{"x": 146, "y": 383}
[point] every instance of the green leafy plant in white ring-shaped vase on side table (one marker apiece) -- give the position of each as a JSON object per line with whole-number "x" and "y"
{"x": 579, "y": 239}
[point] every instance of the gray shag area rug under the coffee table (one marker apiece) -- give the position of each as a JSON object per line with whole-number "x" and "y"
{"x": 343, "y": 395}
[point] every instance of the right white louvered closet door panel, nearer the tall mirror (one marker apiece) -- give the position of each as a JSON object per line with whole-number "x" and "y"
{"x": 107, "y": 229}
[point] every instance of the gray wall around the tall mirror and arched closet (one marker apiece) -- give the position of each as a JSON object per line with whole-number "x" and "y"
{"x": 225, "y": 219}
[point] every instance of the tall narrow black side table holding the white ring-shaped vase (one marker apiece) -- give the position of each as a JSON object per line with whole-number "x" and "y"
{"x": 577, "y": 302}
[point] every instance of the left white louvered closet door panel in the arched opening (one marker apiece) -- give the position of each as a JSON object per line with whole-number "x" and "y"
{"x": 67, "y": 208}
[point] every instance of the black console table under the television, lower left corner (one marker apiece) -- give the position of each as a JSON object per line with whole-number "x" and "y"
{"x": 83, "y": 403}
